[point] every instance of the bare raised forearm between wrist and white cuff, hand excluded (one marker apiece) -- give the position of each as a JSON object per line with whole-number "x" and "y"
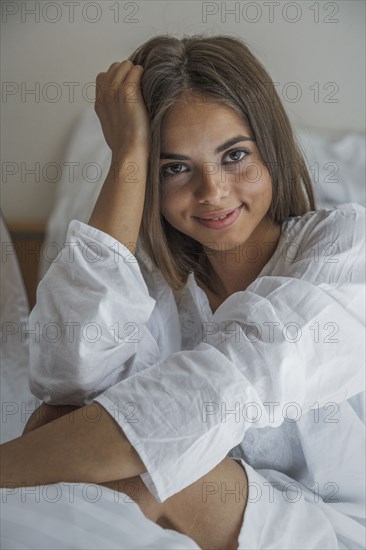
{"x": 118, "y": 210}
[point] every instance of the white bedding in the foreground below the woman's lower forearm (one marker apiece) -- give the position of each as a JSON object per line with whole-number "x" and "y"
{"x": 80, "y": 516}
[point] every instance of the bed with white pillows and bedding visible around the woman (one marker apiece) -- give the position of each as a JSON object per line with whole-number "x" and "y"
{"x": 82, "y": 516}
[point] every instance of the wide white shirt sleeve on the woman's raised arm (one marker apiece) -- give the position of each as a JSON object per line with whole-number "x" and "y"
{"x": 96, "y": 321}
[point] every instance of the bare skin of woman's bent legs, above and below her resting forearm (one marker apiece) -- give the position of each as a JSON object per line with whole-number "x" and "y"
{"x": 210, "y": 511}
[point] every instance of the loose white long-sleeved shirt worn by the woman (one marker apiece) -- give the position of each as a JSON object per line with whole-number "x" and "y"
{"x": 275, "y": 377}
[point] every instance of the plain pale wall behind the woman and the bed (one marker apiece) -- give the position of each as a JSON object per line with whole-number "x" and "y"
{"x": 322, "y": 50}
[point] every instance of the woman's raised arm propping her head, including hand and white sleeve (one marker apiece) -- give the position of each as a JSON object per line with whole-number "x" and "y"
{"x": 89, "y": 328}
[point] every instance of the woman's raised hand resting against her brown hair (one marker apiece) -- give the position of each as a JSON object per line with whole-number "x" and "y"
{"x": 121, "y": 108}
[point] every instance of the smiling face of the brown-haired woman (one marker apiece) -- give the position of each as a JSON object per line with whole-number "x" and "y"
{"x": 203, "y": 174}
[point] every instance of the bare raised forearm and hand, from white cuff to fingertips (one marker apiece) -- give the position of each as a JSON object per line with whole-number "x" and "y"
{"x": 122, "y": 113}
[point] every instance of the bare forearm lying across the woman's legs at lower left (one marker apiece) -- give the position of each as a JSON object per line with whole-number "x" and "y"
{"x": 86, "y": 445}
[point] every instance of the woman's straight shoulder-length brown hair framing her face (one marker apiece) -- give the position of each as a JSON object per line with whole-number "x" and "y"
{"x": 219, "y": 68}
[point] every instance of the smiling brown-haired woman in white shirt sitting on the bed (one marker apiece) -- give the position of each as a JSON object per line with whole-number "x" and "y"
{"x": 210, "y": 316}
